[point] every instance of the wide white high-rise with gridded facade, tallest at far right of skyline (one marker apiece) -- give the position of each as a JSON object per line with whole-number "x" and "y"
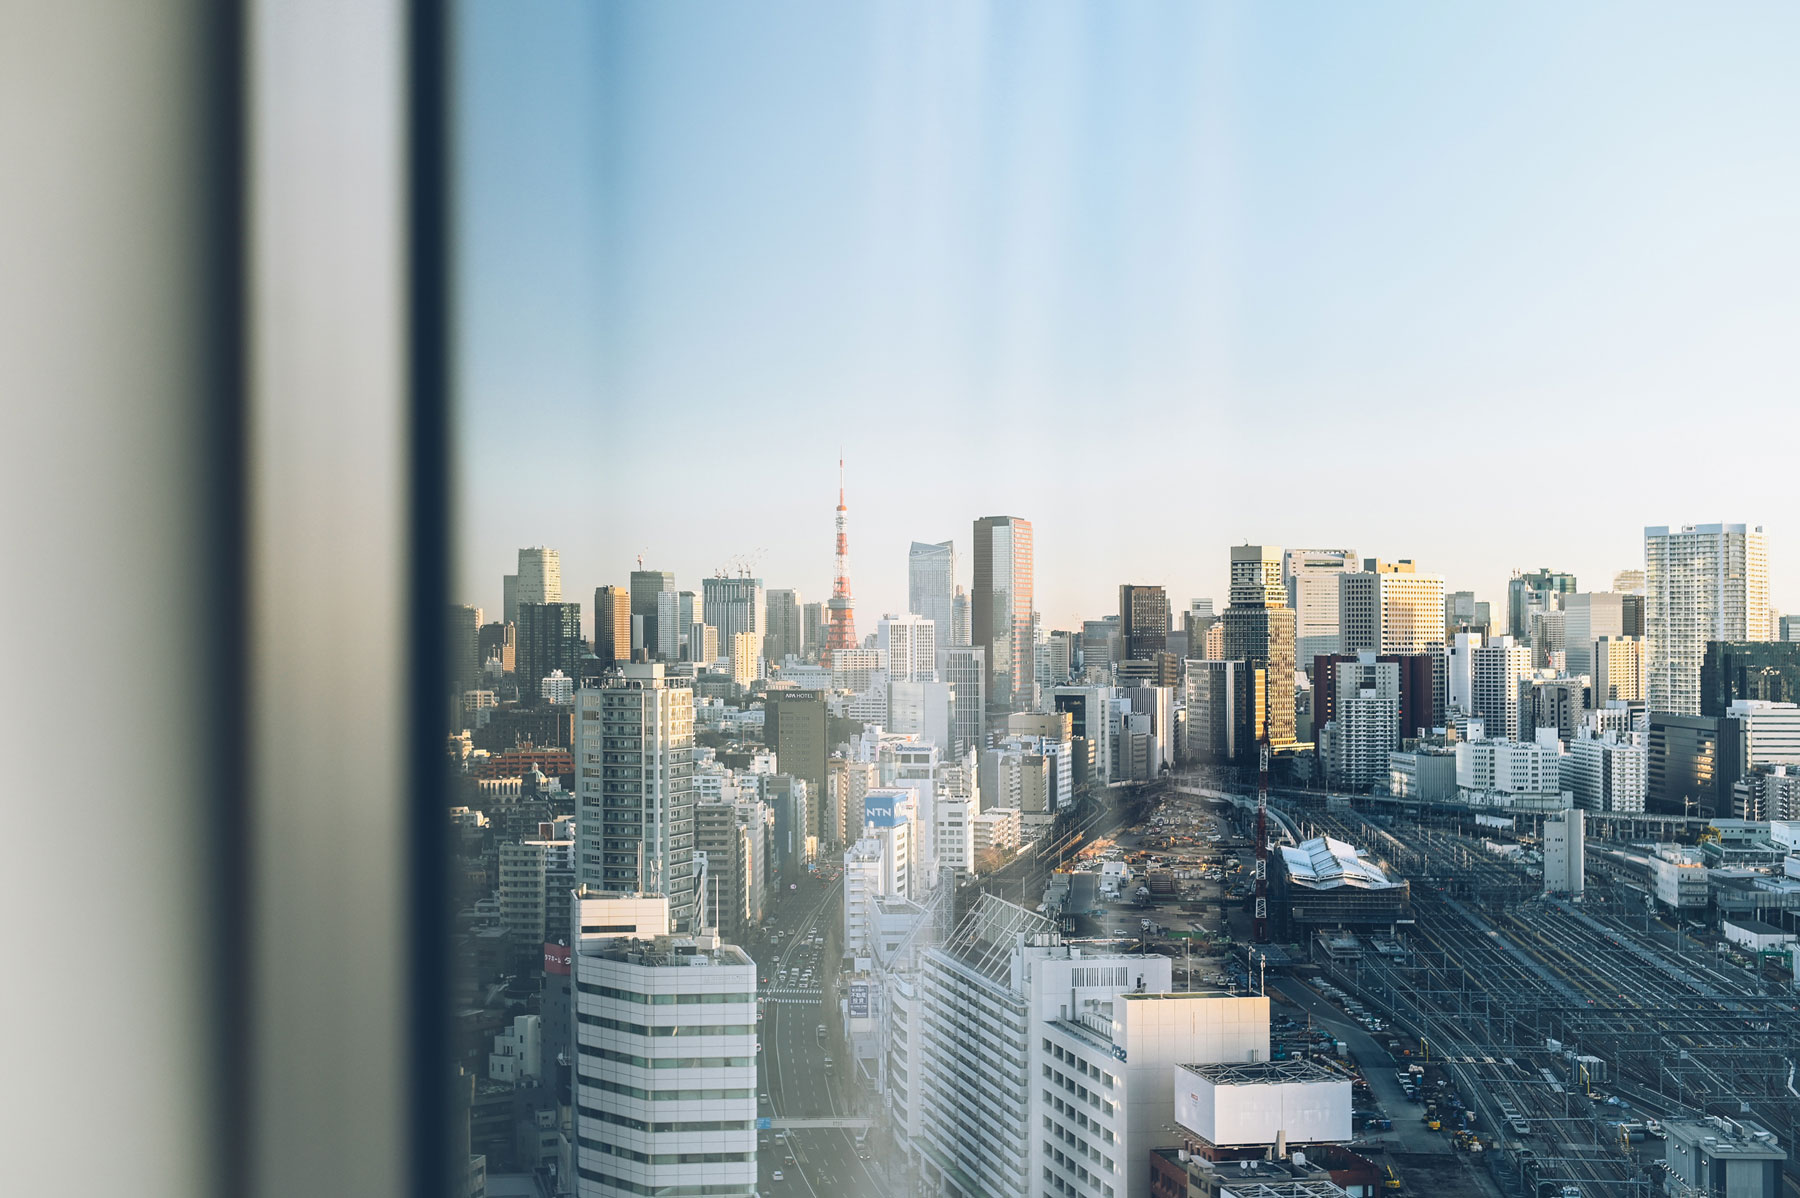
{"x": 1707, "y": 582}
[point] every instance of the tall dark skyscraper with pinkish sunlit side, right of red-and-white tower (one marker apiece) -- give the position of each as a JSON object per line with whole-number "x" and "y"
{"x": 1000, "y": 612}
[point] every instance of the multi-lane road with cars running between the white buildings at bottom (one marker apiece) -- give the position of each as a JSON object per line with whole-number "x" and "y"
{"x": 796, "y": 1082}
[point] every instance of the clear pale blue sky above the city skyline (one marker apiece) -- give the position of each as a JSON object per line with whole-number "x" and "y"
{"x": 1488, "y": 287}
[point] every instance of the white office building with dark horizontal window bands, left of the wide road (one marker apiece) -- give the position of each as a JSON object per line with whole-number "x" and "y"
{"x": 665, "y": 1055}
